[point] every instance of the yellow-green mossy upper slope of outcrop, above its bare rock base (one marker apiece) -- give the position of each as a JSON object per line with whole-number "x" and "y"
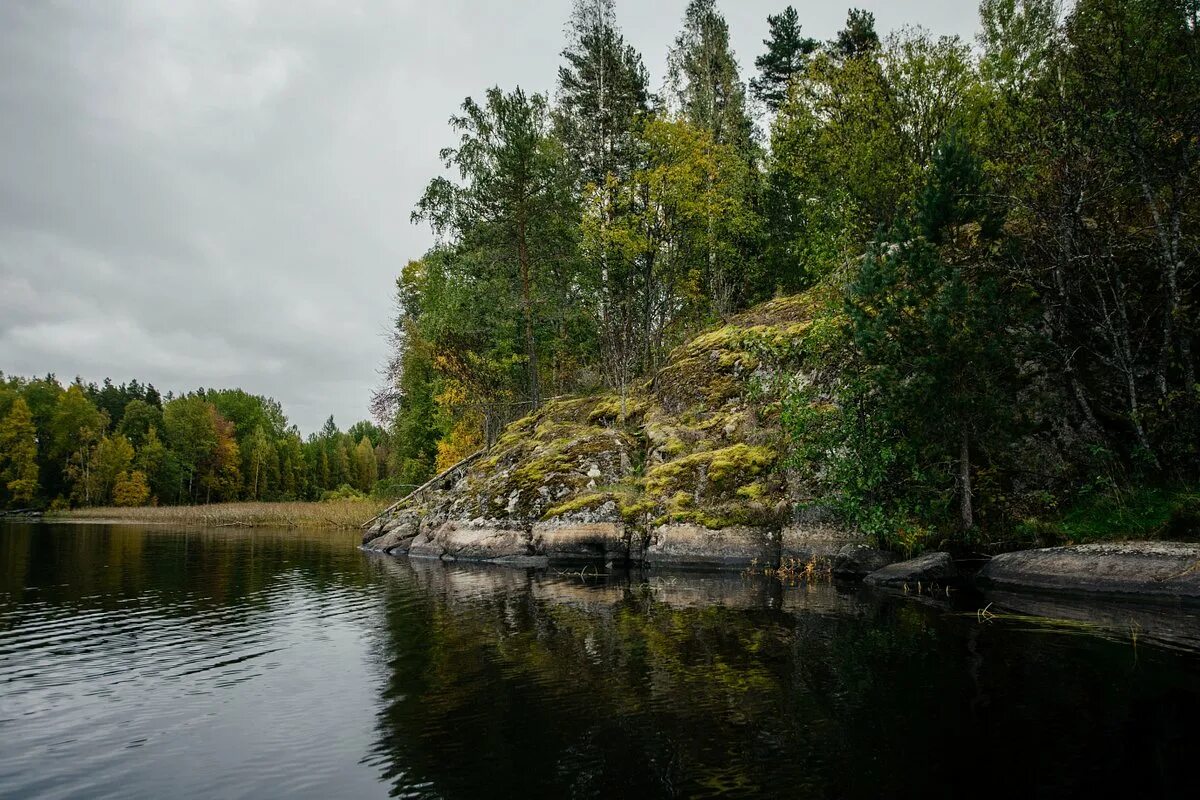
{"x": 698, "y": 444}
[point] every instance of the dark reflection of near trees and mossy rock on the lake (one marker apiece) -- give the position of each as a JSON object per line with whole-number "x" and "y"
{"x": 506, "y": 683}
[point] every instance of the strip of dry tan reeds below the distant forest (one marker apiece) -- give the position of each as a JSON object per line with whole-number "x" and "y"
{"x": 339, "y": 515}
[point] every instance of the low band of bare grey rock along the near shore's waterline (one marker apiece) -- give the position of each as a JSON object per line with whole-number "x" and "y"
{"x": 1129, "y": 570}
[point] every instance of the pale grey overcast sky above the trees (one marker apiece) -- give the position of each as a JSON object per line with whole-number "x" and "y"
{"x": 217, "y": 193}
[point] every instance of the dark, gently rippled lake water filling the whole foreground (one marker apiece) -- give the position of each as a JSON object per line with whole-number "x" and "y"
{"x": 155, "y": 664}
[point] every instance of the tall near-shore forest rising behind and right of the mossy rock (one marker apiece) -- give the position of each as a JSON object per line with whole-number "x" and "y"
{"x": 1004, "y": 231}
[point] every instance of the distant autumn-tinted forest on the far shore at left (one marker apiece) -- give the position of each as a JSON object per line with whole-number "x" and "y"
{"x": 127, "y": 446}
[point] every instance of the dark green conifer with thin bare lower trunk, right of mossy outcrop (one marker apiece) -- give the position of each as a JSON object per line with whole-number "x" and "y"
{"x": 933, "y": 323}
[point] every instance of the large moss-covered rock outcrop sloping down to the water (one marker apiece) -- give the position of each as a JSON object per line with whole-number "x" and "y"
{"x": 685, "y": 471}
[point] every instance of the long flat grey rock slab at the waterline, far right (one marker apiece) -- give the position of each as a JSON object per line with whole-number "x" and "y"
{"x": 1135, "y": 569}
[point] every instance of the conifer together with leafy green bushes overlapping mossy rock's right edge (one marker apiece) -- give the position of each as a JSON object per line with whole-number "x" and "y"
{"x": 929, "y": 387}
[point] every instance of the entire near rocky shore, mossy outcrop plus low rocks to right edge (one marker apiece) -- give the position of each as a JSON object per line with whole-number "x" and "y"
{"x": 691, "y": 472}
